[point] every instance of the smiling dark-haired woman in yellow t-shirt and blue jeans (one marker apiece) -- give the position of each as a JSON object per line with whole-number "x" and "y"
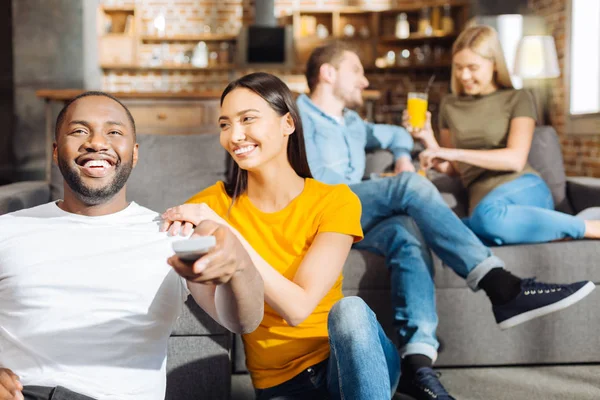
{"x": 312, "y": 342}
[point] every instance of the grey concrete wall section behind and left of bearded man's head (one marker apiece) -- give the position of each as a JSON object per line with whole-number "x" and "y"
{"x": 48, "y": 54}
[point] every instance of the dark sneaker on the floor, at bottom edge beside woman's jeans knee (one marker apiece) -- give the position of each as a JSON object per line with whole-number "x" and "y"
{"x": 423, "y": 385}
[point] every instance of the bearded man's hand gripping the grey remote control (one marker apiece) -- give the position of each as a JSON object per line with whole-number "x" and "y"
{"x": 221, "y": 263}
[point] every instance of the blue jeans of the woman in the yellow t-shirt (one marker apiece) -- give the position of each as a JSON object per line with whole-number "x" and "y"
{"x": 363, "y": 363}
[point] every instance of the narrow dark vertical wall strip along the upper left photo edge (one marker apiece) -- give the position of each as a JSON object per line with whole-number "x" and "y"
{"x": 6, "y": 93}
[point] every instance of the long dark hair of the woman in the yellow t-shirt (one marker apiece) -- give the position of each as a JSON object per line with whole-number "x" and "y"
{"x": 280, "y": 99}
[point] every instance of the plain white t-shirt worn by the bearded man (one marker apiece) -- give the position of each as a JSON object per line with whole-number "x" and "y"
{"x": 88, "y": 303}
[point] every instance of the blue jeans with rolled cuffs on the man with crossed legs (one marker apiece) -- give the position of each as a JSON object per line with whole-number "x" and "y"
{"x": 403, "y": 217}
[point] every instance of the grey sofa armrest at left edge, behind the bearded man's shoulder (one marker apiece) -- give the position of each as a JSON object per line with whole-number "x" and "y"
{"x": 16, "y": 196}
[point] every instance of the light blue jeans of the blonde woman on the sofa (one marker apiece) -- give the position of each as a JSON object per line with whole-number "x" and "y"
{"x": 522, "y": 211}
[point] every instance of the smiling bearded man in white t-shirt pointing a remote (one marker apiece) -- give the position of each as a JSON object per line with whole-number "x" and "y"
{"x": 87, "y": 297}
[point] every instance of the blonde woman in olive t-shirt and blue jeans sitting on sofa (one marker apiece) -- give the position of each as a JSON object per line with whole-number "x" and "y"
{"x": 486, "y": 129}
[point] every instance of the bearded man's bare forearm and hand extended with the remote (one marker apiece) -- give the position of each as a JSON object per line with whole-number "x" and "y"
{"x": 224, "y": 282}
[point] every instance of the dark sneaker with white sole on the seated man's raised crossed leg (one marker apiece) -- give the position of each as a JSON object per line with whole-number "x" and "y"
{"x": 537, "y": 299}
